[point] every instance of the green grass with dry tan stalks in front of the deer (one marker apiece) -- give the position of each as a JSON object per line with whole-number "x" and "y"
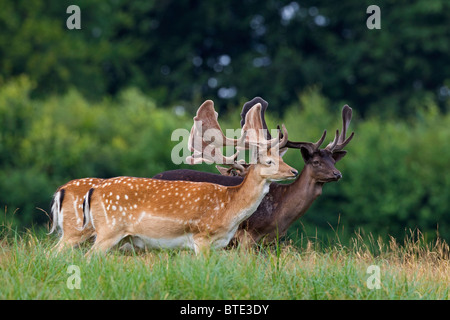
{"x": 411, "y": 270}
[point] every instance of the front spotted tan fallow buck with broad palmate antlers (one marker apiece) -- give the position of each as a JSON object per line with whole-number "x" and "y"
{"x": 195, "y": 215}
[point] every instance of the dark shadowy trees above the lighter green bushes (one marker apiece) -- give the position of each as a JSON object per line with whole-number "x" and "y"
{"x": 186, "y": 51}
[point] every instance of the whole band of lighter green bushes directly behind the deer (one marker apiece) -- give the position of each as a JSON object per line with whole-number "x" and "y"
{"x": 394, "y": 174}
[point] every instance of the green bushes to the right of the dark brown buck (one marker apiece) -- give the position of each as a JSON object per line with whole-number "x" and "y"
{"x": 393, "y": 176}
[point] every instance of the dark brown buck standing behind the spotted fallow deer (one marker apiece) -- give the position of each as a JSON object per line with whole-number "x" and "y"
{"x": 284, "y": 203}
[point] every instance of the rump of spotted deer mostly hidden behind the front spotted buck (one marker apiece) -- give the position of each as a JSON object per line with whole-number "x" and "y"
{"x": 67, "y": 213}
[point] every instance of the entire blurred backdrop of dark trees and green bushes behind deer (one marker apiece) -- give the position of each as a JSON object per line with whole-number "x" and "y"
{"x": 104, "y": 100}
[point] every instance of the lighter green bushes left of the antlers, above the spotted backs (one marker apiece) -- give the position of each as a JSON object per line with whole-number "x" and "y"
{"x": 45, "y": 143}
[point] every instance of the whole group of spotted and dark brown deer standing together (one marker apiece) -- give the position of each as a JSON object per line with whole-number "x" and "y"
{"x": 243, "y": 205}
